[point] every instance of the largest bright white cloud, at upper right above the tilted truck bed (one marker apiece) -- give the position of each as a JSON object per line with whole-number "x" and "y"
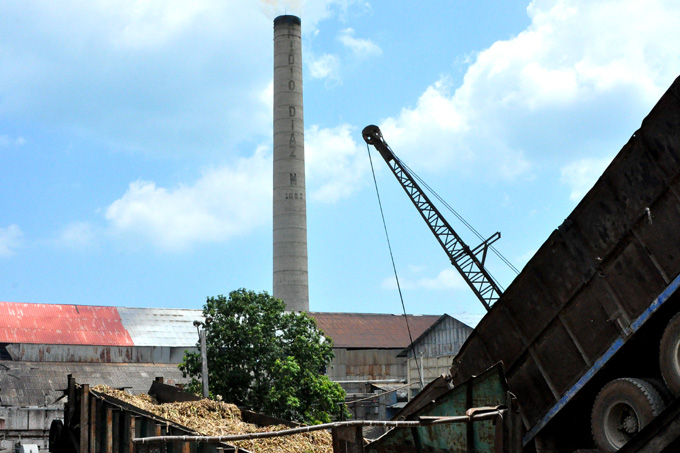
{"x": 552, "y": 87}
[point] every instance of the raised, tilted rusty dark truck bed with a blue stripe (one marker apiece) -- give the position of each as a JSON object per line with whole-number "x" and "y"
{"x": 590, "y": 304}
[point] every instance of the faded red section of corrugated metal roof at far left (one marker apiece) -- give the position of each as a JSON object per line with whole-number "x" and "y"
{"x": 61, "y": 324}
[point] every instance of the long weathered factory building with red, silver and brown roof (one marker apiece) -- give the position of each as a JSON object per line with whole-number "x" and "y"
{"x": 42, "y": 344}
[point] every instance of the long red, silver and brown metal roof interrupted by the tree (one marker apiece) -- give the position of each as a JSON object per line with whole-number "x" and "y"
{"x": 119, "y": 326}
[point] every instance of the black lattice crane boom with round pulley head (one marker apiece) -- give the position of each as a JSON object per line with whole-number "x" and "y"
{"x": 469, "y": 262}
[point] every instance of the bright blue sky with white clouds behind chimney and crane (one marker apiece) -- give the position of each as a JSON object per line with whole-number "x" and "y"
{"x": 136, "y": 140}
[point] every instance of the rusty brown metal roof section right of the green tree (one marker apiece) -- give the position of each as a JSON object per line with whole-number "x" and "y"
{"x": 371, "y": 330}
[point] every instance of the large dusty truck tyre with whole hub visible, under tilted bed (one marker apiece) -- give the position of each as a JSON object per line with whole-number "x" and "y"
{"x": 621, "y": 409}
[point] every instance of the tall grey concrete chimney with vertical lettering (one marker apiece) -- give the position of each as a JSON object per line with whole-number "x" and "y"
{"x": 290, "y": 199}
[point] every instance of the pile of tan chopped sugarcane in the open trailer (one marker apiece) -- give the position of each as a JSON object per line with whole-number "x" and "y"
{"x": 216, "y": 418}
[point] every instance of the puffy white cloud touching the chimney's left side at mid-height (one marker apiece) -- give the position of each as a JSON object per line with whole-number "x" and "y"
{"x": 222, "y": 204}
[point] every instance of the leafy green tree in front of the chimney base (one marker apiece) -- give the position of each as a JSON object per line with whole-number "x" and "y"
{"x": 265, "y": 359}
